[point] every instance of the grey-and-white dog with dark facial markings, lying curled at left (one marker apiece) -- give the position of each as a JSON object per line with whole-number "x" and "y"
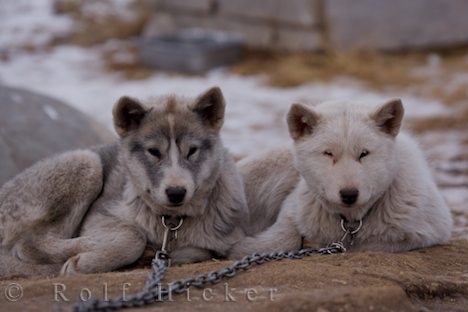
{"x": 95, "y": 210}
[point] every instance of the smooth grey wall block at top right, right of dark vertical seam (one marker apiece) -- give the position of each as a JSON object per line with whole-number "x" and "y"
{"x": 397, "y": 24}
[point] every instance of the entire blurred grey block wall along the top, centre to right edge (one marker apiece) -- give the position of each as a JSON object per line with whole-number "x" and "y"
{"x": 311, "y": 25}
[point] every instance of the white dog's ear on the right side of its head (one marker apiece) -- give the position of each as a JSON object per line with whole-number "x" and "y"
{"x": 388, "y": 117}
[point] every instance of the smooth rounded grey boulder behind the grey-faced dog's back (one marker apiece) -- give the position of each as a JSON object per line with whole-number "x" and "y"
{"x": 34, "y": 126}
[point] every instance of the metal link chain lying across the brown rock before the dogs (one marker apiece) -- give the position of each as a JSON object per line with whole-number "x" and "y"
{"x": 154, "y": 292}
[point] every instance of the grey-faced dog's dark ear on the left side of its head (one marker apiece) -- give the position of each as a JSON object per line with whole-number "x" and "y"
{"x": 128, "y": 114}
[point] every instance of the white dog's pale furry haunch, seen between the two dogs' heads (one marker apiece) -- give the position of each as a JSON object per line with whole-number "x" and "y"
{"x": 268, "y": 180}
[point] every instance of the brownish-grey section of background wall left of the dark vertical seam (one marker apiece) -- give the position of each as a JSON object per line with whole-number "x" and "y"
{"x": 273, "y": 24}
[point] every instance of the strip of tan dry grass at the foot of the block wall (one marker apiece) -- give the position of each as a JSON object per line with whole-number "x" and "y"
{"x": 378, "y": 70}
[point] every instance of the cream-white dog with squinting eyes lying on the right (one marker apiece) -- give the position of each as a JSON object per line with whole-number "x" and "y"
{"x": 354, "y": 171}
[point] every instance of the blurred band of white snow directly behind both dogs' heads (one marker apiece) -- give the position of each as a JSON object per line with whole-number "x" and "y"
{"x": 255, "y": 115}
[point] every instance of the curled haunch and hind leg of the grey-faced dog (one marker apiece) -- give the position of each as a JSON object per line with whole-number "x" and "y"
{"x": 43, "y": 206}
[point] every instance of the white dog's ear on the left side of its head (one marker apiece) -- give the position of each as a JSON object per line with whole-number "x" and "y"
{"x": 302, "y": 121}
